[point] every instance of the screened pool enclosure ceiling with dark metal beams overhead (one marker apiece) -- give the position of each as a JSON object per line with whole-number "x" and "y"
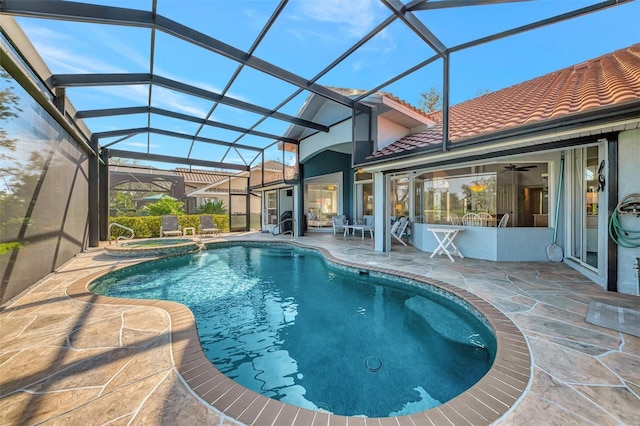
{"x": 220, "y": 83}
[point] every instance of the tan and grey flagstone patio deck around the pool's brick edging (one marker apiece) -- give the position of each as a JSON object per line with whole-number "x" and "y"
{"x": 66, "y": 360}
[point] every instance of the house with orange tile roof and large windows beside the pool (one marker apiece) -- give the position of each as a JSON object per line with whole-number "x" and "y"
{"x": 556, "y": 154}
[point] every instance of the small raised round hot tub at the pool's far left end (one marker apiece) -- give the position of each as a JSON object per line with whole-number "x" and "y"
{"x": 153, "y": 247}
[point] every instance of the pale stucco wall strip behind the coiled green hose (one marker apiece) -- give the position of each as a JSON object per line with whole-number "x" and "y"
{"x": 628, "y": 183}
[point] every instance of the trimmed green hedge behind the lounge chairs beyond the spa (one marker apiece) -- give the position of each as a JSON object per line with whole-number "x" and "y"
{"x": 149, "y": 226}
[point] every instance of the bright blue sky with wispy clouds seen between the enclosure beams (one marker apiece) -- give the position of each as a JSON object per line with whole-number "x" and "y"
{"x": 307, "y": 36}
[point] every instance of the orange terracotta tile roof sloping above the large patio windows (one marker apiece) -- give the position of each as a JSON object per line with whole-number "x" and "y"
{"x": 608, "y": 80}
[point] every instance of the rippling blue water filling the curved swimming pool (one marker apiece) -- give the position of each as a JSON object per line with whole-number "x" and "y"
{"x": 285, "y": 324}
